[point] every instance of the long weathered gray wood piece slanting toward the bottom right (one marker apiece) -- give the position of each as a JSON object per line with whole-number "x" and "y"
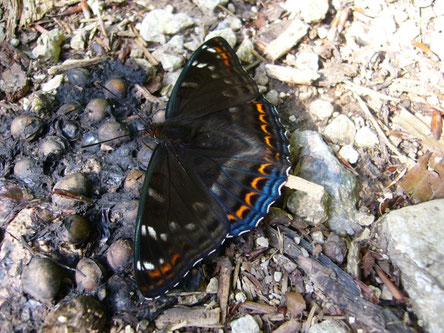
{"x": 335, "y": 285}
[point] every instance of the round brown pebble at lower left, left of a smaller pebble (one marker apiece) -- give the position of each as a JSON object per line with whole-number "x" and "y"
{"x": 41, "y": 279}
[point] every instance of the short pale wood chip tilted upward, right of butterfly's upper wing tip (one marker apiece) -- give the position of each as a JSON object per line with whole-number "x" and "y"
{"x": 293, "y": 33}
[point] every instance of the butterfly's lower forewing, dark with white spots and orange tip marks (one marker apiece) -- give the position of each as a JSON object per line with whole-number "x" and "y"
{"x": 178, "y": 223}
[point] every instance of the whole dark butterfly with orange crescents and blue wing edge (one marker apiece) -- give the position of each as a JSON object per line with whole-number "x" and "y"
{"x": 220, "y": 162}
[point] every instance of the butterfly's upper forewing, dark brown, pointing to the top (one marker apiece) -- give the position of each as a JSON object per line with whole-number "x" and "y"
{"x": 211, "y": 80}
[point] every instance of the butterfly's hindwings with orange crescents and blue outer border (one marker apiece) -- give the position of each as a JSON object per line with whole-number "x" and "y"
{"x": 241, "y": 154}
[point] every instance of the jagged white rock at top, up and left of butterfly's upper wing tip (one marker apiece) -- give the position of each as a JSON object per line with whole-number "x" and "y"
{"x": 161, "y": 22}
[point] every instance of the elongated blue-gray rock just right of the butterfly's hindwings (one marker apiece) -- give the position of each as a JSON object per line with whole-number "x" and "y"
{"x": 319, "y": 165}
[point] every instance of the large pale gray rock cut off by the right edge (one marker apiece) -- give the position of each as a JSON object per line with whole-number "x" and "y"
{"x": 413, "y": 238}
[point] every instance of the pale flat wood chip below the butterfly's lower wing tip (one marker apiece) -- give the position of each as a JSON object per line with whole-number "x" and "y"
{"x": 178, "y": 317}
